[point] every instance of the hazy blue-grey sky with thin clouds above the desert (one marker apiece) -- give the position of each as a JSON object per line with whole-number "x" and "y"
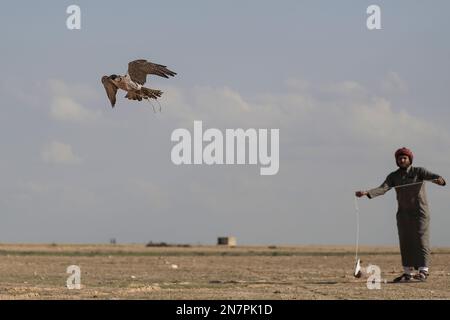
{"x": 344, "y": 98}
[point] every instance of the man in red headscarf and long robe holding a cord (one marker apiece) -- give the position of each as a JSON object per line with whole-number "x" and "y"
{"x": 413, "y": 217}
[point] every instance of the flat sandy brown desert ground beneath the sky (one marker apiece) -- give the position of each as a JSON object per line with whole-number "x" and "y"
{"x": 210, "y": 272}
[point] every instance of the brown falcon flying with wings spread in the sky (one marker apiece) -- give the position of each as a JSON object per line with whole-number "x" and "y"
{"x": 134, "y": 80}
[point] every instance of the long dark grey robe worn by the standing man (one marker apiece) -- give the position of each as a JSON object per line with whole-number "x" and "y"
{"x": 413, "y": 217}
